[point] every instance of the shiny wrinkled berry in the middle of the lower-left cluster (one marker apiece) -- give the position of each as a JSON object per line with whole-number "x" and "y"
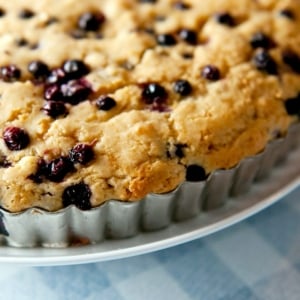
{"x": 58, "y": 168}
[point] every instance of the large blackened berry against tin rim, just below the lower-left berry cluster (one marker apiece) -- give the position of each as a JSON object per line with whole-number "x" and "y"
{"x": 79, "y": 195}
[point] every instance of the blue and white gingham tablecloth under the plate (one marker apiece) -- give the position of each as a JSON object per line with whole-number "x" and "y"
{"x": 255, "y": 259}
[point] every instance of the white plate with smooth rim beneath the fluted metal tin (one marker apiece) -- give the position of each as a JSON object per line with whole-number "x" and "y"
{"x": 283, "y": 180}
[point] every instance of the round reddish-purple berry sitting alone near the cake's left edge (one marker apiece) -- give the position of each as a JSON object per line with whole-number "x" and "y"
{"x": 15, "y": 138}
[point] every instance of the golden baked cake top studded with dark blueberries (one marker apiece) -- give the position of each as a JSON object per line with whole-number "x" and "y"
{"x": 106, "y": 99}
